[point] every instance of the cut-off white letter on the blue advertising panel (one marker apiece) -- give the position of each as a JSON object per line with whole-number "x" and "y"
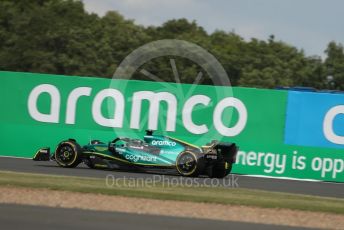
{"x": 328, "y": 125}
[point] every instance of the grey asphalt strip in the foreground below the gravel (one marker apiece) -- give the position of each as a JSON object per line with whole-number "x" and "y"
{"x": 35, "y": 217}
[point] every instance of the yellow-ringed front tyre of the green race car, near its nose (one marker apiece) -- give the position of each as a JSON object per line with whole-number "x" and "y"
{"x": 68, "y": 154}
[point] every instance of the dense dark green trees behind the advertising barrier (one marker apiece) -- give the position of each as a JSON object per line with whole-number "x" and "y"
{"x": 60, "y": 37}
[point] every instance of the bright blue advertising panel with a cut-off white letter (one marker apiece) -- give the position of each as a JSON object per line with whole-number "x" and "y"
{"x": 315, "y": 119}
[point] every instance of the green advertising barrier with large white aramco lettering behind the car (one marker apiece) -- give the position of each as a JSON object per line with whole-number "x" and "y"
{"x": 40, "y": 110}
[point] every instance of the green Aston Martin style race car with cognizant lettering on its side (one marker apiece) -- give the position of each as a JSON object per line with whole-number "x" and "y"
{"x": 154, "y": 152}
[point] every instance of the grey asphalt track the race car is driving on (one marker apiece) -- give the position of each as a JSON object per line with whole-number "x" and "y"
{"x": 269, "y": 184}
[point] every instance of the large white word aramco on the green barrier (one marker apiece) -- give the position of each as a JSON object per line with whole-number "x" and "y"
{"x": 118, "y": 114}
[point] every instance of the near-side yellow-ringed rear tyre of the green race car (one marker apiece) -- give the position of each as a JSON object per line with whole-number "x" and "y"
{"x": 188, "y": 164}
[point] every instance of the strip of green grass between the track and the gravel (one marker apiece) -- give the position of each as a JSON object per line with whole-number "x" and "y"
{"x": 220, "y": 195}
